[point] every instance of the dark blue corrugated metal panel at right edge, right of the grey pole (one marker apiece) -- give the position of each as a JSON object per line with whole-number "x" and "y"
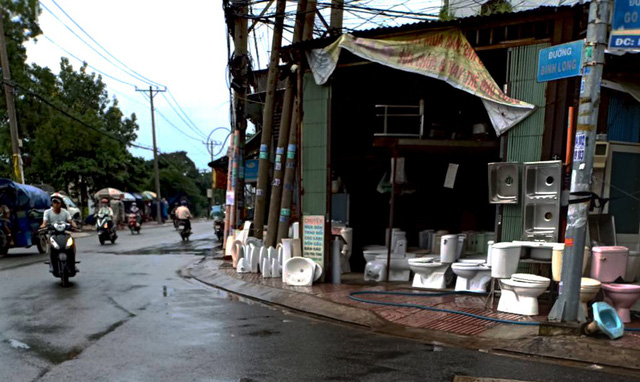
{"x": 623, "y": 118}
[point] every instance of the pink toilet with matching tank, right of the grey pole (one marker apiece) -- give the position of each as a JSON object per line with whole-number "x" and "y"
{"x": 609, "y": 263}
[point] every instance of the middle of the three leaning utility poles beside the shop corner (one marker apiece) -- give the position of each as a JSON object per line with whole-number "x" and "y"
{"x": 283, "y": 138}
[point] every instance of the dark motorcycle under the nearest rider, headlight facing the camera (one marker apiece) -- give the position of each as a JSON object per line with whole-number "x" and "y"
{"x": 62, "y": 251}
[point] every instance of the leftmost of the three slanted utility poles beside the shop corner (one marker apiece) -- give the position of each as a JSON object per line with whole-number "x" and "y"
{"x": 267, "y": 121}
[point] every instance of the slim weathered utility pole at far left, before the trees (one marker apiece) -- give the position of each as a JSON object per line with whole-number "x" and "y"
{"x": 11, "y": 106}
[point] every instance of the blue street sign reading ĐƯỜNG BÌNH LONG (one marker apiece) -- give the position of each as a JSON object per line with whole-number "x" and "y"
{"x": 560, "y": 61}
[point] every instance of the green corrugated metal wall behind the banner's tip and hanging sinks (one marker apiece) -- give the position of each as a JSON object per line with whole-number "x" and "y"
{"x": 524, "y": 141}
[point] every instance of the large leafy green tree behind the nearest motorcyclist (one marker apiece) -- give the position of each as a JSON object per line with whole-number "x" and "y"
{"x": 72, "y": 155}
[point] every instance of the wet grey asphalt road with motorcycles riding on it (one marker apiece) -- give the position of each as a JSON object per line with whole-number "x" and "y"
{"x": 129, "y": 316}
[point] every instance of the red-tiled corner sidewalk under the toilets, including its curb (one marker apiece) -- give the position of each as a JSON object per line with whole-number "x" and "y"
{"x": 333, "y": 302}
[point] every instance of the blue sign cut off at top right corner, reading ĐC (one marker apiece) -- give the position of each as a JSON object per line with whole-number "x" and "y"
{"x": 625, "y": 27}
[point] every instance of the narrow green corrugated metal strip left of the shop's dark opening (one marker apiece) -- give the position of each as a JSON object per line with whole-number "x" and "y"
{"x": 314, "y": 146}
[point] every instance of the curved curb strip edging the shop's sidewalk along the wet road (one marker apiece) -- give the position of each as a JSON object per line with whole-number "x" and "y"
{"x": 578, "y": 351}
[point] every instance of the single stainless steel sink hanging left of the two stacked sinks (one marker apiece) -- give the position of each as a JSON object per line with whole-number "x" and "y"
{"x": 504, "y": 182}
